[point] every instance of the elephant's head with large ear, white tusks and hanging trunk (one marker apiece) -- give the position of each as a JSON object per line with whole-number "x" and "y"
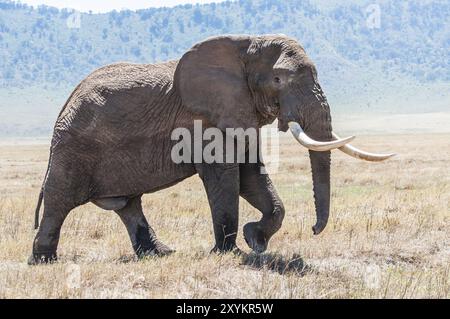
{"x": 245, "y": 81}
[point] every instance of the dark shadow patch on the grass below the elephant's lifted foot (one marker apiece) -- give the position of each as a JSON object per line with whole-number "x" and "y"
{"x": 277, "y": 263}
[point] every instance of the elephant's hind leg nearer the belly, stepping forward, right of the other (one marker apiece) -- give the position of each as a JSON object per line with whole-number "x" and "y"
{"x": 143, "y": 237}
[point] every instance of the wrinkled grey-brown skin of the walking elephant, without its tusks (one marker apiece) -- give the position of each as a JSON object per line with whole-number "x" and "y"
{"x": 111, "y": 142}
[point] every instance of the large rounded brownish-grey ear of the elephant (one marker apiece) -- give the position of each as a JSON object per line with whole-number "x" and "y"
{"x": 212, "y": 83}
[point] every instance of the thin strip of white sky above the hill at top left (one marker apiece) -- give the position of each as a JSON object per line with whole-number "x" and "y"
{"x": 108, "y": 5}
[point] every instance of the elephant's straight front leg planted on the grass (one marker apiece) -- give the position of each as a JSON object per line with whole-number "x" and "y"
{"x": 221, "y": 182}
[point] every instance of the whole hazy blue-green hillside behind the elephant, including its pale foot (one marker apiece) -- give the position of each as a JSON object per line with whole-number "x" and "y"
{"x": 400, "y": 65}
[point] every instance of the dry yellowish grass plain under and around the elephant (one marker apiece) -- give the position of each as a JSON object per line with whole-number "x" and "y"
{"x": 388, "y": 234}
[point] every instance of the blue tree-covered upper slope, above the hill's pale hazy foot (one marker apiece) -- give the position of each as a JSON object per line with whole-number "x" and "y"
{"x": 39, "y": 46}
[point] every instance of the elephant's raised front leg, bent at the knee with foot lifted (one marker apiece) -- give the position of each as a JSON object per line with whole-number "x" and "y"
{"x": 259, "y": 191}
